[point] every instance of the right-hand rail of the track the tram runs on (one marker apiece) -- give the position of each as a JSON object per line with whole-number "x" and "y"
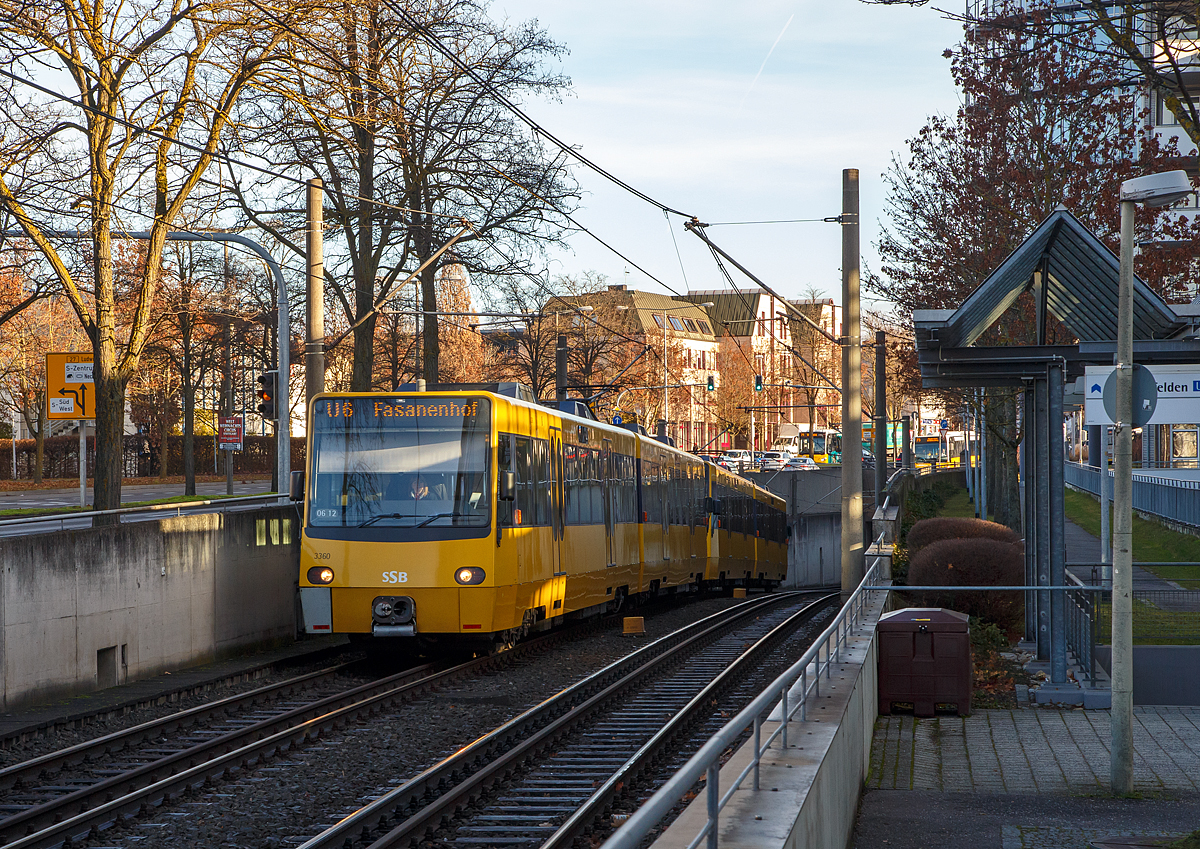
{"x": 127, "y": 794}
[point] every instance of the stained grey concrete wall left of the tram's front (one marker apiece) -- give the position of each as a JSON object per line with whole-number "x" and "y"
{"x": 89, "y": 609}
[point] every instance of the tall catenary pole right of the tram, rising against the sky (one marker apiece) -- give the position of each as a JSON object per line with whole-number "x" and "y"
{"x": 851, "y": 392}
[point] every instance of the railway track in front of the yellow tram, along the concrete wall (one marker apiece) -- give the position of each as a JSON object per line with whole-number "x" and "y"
{"x": 81, "y": 791}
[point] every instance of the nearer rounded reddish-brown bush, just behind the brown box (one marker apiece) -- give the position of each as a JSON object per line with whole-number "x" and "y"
{"x": 977, "y": 562}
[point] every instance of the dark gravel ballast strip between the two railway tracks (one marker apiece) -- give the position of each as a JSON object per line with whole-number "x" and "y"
{"x": 293, "y": 798}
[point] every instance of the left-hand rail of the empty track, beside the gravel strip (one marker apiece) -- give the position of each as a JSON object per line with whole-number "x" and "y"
{"x": 517, "y": 740}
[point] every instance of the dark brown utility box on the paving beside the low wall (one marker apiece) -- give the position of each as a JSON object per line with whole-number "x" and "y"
{"x": 926, "y": 659}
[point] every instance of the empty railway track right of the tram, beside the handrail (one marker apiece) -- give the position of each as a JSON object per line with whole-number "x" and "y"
{"x": 548, "y": 776}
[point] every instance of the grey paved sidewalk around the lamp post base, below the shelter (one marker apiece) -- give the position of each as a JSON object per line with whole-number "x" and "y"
{"x": 1027, "y": 780}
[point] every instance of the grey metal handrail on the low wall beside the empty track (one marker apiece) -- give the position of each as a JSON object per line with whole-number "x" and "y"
{"x": 707, "y": 762}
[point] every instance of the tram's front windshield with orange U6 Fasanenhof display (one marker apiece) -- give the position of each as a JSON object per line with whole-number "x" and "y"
{"x": 400, "y": 463}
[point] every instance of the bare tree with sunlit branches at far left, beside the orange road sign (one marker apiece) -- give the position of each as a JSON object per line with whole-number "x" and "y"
{"x": 153, "y": 86}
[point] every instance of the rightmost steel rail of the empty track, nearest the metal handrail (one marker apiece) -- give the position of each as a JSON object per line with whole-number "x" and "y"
{"x": 695, "y": 710}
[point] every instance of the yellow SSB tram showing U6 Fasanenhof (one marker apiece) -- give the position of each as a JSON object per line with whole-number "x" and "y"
{"x": 473, "y": 514}
